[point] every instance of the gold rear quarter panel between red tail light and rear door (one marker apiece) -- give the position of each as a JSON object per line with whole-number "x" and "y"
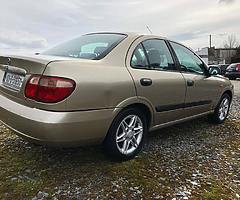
{"x": 99, "y": 84}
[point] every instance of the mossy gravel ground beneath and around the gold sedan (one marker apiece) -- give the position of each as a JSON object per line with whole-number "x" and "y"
{"x": 194, "y": 160}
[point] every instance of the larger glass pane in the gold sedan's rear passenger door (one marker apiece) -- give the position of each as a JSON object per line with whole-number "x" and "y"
{"x": 159, "y": 55}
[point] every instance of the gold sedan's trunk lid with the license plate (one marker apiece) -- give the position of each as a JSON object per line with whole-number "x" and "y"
{"x": 16, "y": 70}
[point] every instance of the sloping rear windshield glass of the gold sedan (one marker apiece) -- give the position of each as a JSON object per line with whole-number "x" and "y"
{"x": 92, "y": 46}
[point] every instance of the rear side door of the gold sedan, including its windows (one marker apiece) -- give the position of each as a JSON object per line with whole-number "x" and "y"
{"x": 157, "y": 79}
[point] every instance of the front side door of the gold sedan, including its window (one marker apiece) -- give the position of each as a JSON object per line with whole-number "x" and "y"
{"x": 202, "y": 89}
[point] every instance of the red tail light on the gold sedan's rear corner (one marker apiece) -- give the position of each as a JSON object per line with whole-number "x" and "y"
{"x": 49, "y": 89}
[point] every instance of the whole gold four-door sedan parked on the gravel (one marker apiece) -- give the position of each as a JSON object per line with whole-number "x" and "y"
{"x": 109, "y": 88}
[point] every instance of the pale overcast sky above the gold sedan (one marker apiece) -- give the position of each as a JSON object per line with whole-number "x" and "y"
{"x": 29, "y": 24}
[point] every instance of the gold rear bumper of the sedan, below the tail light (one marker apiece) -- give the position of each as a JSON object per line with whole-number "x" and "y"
{"x": 56, "y": 128}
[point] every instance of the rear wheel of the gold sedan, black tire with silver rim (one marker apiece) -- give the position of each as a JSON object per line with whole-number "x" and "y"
{"x": 133, "y": 142}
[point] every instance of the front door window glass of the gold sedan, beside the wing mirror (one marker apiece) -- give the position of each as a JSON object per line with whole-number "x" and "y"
{"x": 188, "y": 60}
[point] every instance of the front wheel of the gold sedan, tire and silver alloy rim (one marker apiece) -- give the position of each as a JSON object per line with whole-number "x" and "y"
{"x": 221, "y": 111}
